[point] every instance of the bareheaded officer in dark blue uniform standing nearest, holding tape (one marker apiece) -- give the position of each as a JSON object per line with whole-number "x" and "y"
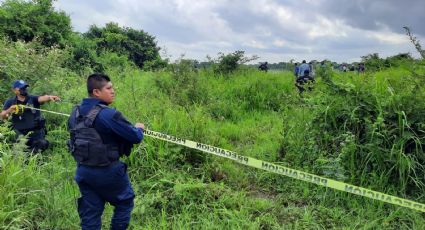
{"x": 99, "y": 137}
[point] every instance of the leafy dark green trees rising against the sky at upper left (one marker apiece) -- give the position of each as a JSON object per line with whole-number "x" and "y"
{"x": 38, "y": 20}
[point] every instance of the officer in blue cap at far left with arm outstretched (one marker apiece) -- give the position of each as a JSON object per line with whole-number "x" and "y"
{"x": 27, "y": 120}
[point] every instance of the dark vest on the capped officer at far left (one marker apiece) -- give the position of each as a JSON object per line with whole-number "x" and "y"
{"x": 28, "y": 120}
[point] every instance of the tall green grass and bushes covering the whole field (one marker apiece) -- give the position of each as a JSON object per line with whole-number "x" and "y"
{"x": 365, "y": 129}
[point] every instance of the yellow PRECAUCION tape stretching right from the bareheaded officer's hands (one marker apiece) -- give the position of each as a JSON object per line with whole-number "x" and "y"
{"x": 296, "y": 174}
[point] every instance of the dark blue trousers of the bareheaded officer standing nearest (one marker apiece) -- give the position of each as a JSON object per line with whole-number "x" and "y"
{"x": 104, "y": 184}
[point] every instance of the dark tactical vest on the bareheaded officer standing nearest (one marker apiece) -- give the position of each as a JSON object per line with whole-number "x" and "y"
{"x": 86, "y": 145}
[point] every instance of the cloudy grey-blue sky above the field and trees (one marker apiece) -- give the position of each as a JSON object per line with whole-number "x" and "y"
{"x": 275, "y": 30}
